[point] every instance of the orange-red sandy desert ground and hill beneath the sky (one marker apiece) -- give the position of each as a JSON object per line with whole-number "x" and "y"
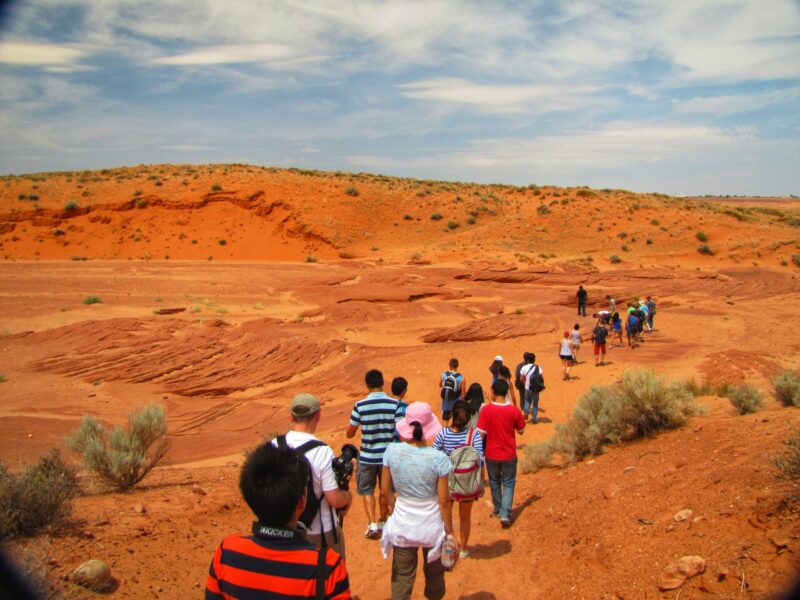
{"x": 285, "y": 281}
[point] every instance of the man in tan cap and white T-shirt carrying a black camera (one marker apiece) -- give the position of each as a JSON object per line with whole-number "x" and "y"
{"x": 325, "y": 529}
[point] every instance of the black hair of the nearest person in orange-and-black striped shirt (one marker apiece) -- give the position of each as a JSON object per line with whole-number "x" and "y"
{"x": 272, "y": 482}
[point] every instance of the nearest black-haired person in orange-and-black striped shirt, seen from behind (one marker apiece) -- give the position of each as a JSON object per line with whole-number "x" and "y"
{"x": 276, "y": 561}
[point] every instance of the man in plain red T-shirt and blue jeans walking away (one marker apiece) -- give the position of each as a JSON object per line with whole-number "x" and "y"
{"x": 497, "y": 422}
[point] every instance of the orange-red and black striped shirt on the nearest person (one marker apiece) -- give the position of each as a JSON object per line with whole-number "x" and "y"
{"x": 275, "y": 567}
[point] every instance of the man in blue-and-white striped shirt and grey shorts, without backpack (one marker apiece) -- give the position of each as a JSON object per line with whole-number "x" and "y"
{"x": 376, "y": 416}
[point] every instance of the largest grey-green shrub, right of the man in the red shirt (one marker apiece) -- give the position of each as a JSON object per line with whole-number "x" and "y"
{"x": 638, "y": 405}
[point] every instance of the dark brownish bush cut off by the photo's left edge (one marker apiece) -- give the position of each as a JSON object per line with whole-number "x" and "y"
{"x": 39, "y": 497}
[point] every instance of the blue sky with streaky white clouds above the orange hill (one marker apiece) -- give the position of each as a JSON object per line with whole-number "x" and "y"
{"x": 686, "y": 97}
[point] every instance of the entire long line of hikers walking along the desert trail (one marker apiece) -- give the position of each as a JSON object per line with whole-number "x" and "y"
{"x": 420, "y": 465}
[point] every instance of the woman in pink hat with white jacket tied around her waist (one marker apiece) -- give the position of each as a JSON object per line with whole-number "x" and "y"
{"x": 415, "y": 484}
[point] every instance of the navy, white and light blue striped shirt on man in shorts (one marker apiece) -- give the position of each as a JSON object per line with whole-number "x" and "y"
{"x": 376, "y": 415}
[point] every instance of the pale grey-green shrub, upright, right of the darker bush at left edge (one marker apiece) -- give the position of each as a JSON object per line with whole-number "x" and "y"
{"x": 122, "y": 457}
